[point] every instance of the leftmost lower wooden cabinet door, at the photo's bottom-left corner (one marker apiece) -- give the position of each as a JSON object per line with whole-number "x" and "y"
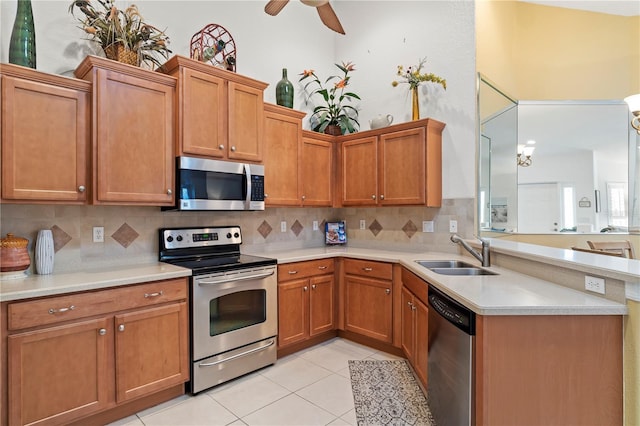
{"x": 59, "y": 374}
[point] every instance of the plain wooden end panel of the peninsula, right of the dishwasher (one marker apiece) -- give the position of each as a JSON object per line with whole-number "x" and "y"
{"x": 548, "y": 370}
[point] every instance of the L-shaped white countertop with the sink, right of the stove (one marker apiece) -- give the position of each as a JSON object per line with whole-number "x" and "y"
{"x": 508, "y": 293}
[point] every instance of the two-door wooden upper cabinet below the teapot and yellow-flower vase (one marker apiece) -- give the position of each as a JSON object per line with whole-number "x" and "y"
{"x": 396, "y": 165}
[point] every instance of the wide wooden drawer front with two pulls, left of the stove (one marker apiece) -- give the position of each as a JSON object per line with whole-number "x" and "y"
{"x": 57, "y": 309}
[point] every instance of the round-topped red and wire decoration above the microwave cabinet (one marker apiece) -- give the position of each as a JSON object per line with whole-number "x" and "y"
{"x": 215, "y": 45}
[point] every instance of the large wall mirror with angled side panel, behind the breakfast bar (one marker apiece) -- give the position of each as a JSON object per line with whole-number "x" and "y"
{"x": 575, "y": 180}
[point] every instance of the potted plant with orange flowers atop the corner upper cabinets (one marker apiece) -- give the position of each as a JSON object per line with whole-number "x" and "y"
{"x": 336, "y": 116}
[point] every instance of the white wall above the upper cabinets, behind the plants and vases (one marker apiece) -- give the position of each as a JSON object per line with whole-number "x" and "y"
{"x": 380, "y": 36}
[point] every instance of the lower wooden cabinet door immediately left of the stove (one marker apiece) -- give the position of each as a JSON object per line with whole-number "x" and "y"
{"x": 151, "y": 350}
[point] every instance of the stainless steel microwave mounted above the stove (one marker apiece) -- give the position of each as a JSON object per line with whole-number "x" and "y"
{"x": 204, "y": 184}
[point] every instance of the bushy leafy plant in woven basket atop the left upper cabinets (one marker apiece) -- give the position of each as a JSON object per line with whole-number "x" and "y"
{"x": 122, "y": 34}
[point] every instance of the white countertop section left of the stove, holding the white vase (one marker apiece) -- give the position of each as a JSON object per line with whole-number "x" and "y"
{"x": 92, "y": 279}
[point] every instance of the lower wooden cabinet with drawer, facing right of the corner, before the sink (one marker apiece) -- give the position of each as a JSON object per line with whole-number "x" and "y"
{"x": 368, "y": 299}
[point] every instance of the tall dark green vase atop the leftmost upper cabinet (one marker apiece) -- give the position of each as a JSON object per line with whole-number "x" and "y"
{"x": 22, "y": 47}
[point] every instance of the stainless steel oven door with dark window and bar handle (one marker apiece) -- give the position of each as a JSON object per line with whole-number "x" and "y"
{"x": 233, "y": 309}
